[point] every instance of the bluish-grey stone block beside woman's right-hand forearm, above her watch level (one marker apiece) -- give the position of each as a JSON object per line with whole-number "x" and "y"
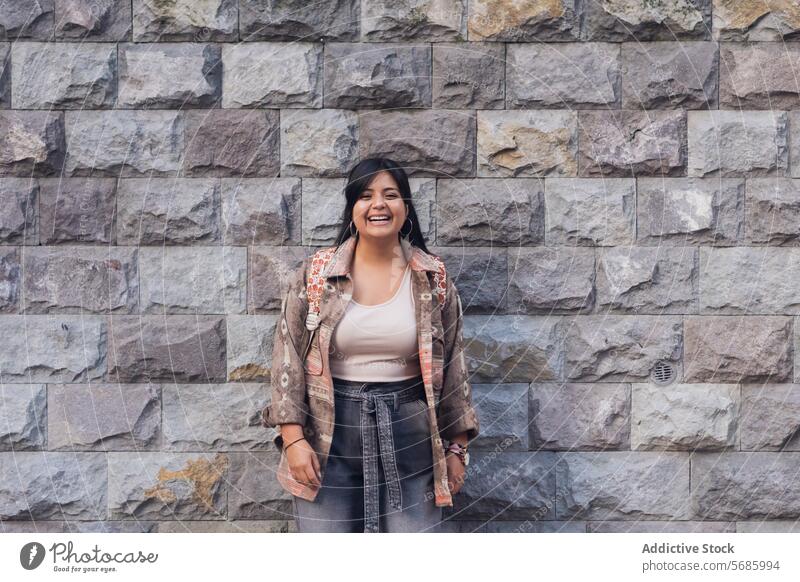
{"x": 503, "y": 414}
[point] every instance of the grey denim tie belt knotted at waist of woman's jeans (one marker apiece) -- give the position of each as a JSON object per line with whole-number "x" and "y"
{"x": 376, "y": 436}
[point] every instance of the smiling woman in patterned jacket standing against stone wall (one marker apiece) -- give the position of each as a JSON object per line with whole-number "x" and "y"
{"x": 369, "y": 383}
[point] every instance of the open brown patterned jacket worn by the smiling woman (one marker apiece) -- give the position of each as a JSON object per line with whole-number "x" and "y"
{"x": 301, "y": 383}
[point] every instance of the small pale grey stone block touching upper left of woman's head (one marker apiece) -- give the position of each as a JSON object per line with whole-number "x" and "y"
{"x": 318, "y": 143}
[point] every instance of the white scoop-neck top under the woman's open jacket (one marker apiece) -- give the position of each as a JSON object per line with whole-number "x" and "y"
{"x": 377, "y": 343}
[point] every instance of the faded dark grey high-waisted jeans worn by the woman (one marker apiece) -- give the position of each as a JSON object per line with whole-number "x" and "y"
{"x": 379, "y": 475}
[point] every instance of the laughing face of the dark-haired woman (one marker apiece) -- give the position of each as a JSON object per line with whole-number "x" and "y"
{"x": 381, "y": 198}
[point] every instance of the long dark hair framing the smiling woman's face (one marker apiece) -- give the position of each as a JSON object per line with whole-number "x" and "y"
{"x": 359, "y": 178}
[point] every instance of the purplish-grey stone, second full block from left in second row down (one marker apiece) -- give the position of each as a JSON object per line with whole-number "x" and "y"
{"x": 169, "y": 75}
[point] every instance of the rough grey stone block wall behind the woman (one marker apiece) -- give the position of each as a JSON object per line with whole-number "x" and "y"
{"x": 612, "y": 183}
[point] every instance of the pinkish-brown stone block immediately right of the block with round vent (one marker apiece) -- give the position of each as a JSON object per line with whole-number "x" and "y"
{"x": 737, "y": 349}
